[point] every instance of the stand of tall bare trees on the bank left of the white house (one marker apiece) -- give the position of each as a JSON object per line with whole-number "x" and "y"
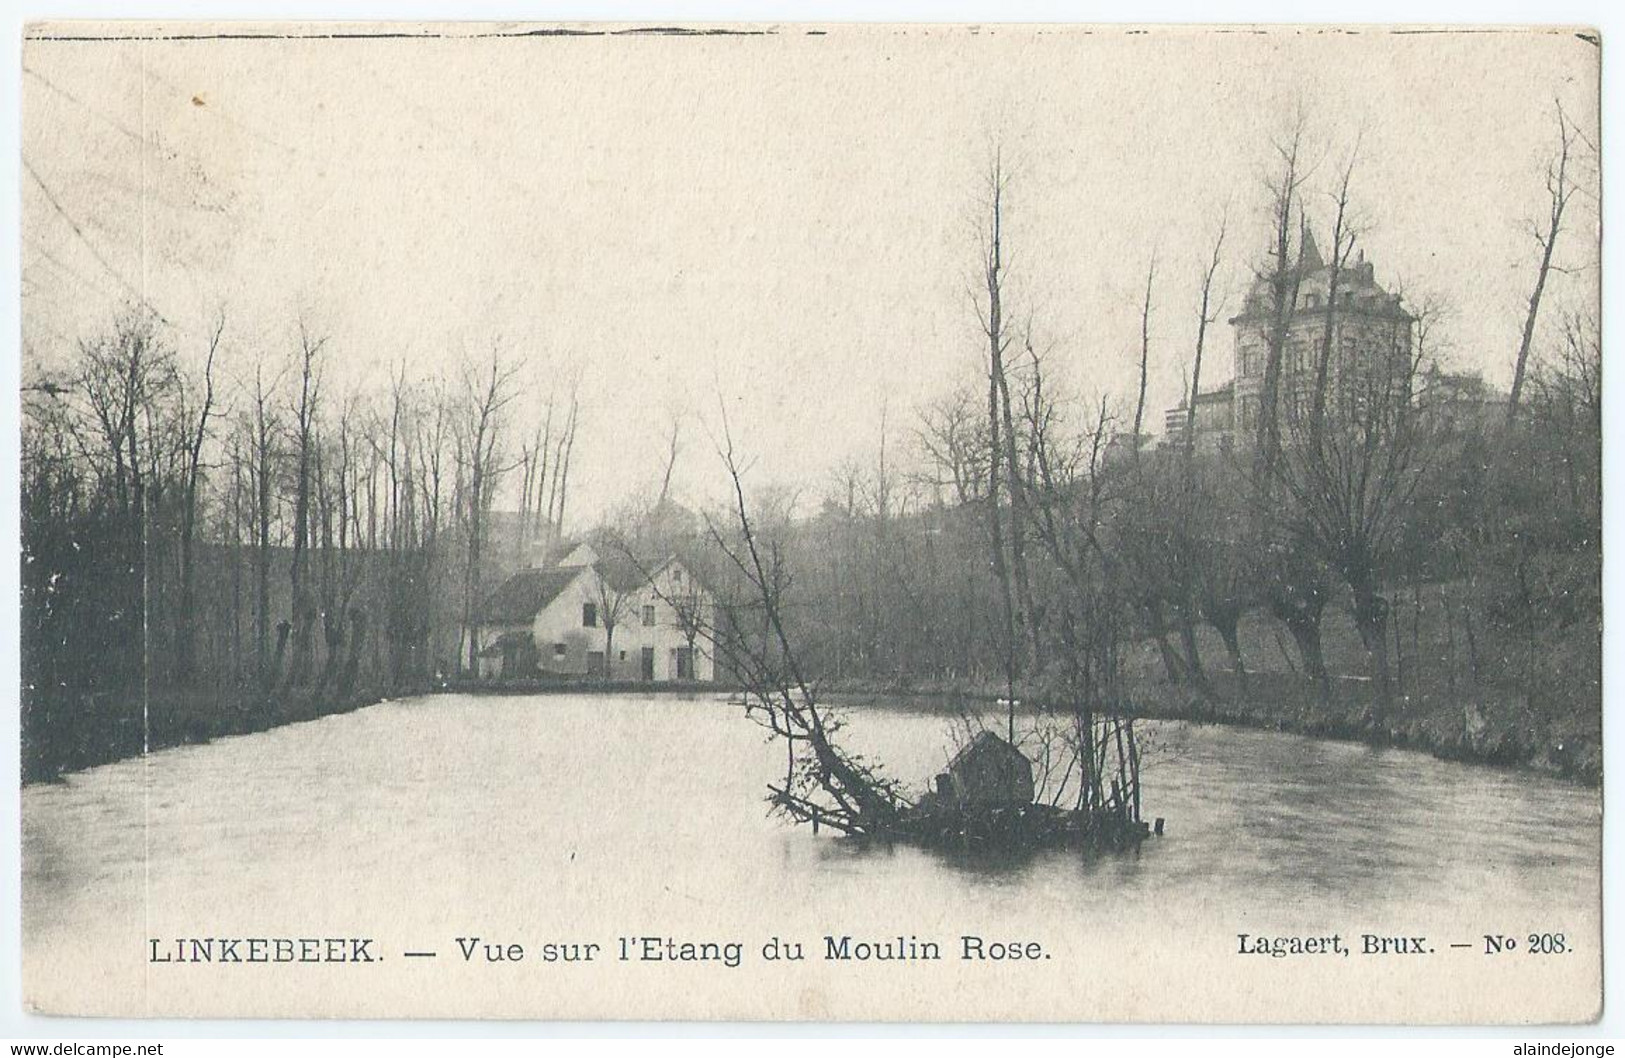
{"x": 210, "y": 550}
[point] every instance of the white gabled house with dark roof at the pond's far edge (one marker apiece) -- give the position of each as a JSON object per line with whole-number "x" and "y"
{"x": 586, "y": 615}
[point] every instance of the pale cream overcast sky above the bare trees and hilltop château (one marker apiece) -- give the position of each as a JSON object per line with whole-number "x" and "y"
{"x": 786, "y": 222}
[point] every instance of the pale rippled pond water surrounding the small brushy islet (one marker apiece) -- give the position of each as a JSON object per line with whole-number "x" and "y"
{"x": 596, "y": 818}
